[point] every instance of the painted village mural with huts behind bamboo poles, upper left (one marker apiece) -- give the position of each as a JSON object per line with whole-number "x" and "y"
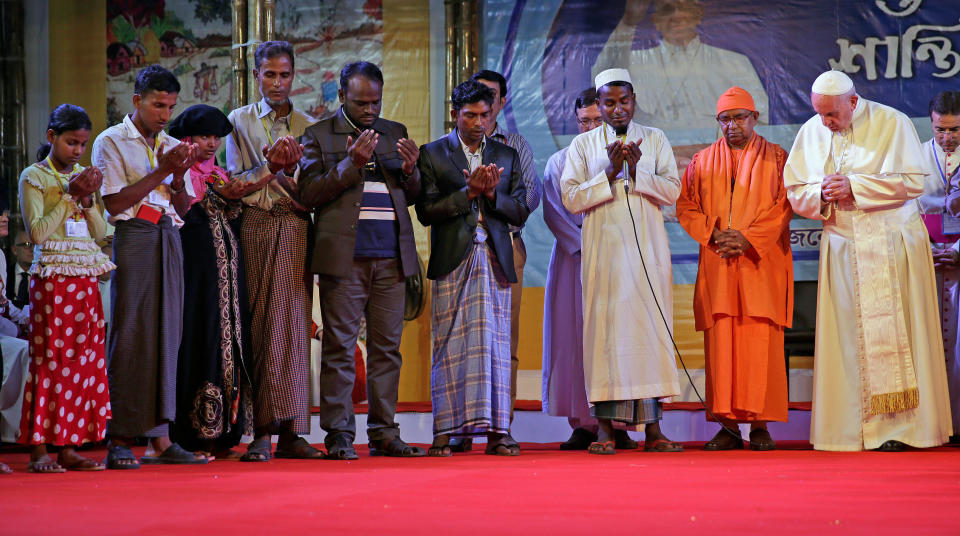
{"x": 193, "y": 39}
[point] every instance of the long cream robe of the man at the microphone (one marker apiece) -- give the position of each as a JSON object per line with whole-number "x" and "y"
{"x": 627, "y": 353}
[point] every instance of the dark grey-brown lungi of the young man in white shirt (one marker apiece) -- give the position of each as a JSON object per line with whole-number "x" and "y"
{"x": 146, "y": 295}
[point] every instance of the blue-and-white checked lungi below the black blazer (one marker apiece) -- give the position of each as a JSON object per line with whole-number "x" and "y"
{"x": 470, "y": 375}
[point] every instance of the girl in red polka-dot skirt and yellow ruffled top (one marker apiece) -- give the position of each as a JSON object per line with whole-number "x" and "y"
{"x": 66, "y": 401}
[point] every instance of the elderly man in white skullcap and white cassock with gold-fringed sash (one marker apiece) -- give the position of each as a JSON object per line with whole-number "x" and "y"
{"x": 879, "y": 373}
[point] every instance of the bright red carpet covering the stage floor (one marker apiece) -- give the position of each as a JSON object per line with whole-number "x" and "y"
{"x": 544, "y": 491}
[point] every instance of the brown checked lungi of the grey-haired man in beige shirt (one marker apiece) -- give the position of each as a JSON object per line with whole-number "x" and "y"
{"x": 274, "y": 244}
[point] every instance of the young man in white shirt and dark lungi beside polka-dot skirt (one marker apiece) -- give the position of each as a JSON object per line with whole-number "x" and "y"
{"x": 146, "y": 191}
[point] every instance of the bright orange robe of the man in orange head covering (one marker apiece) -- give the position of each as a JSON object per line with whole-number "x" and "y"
{"x": 742, "y": 304}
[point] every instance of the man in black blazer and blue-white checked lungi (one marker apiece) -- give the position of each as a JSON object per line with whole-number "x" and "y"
{"x": 471, "y": 189}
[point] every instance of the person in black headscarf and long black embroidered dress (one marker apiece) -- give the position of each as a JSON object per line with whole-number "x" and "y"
{"x": 214, "y": 408}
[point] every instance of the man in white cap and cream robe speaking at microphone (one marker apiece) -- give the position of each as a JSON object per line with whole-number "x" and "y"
{"x": 618, "y": 176}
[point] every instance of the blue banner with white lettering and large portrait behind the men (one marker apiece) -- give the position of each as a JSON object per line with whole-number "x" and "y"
{"x": 898, "y": 52}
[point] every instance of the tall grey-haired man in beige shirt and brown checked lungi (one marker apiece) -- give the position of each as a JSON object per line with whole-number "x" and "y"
{"x": 273, "y": 236}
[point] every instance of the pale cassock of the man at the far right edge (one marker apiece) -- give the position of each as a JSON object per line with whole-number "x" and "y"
{"x": 948, "y": 278}
